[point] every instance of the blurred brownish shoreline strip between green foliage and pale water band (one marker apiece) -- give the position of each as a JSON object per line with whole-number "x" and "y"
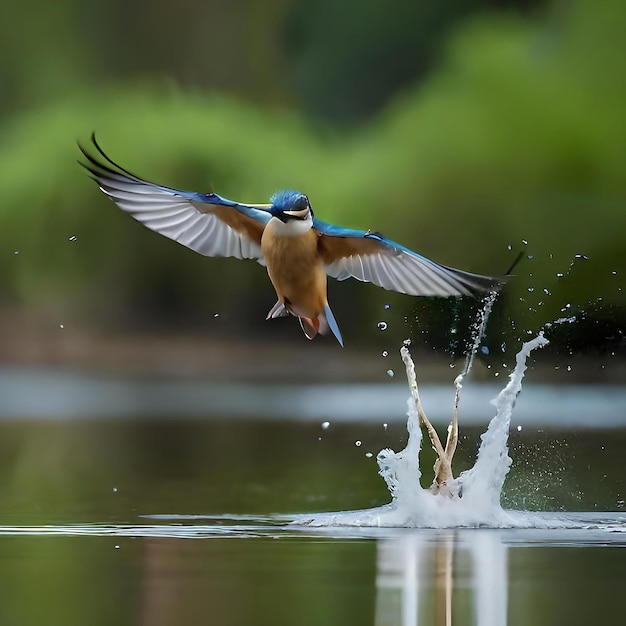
{"x": 33, "y": 344}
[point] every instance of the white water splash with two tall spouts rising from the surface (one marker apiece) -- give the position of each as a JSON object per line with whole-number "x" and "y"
{"x": 475, "y": 493}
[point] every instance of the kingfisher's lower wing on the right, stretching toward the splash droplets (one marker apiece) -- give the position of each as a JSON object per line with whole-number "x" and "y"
{"x": 372, "y": 258}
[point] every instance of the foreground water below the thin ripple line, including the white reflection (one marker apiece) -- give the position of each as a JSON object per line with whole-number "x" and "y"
{"x": 264, "y": 570}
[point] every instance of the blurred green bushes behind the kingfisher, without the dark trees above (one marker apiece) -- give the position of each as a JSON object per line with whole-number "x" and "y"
{"x": 518, "y": 134}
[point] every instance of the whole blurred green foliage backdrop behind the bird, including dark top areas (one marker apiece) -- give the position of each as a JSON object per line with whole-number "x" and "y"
{"x": 505, "y": 124}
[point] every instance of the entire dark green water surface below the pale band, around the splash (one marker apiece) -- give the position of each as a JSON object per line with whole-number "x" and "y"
{"x": 187, "y": 521}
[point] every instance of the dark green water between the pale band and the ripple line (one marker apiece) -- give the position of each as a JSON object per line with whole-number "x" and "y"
{"x": 116, "y": 469}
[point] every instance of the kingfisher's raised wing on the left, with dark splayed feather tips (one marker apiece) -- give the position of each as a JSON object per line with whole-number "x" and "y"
{"x": 204, "y": 222}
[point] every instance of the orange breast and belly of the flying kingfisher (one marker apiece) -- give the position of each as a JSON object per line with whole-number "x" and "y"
{"x": 296, "y": 270}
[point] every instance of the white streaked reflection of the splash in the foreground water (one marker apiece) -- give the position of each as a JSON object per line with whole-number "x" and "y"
{"x": 416, "y": 580}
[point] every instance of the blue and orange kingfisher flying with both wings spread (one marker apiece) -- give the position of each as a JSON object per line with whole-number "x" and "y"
{"x": 298, "y": 250}
